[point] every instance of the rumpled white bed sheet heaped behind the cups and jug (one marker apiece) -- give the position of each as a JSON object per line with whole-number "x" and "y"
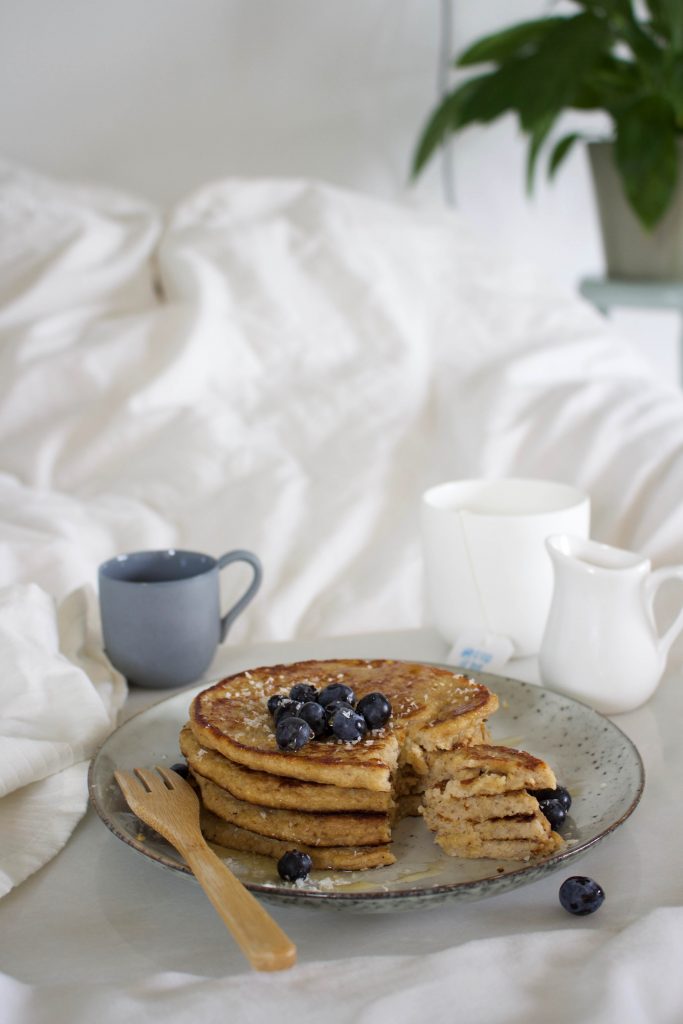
{"x": 284, "y": 366}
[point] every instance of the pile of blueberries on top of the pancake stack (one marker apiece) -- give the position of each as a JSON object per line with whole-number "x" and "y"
{"x": 306, "y": 714}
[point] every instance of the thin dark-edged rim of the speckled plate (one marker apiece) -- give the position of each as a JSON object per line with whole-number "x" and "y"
{"x": 291, "y": 894}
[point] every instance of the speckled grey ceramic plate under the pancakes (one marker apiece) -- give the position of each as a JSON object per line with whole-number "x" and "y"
{"x": 590, "y": 755}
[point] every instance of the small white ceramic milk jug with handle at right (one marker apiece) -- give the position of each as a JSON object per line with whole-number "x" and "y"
{"x": 602, "y": 644}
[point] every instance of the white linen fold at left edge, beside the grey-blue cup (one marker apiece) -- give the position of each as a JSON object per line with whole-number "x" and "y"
{"x": 59, "y": 700}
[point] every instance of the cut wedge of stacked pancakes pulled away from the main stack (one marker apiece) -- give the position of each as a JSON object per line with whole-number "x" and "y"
{"x": 478, "y": 805}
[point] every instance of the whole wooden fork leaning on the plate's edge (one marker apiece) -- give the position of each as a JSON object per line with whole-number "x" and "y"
{"x": 169, "y": 804}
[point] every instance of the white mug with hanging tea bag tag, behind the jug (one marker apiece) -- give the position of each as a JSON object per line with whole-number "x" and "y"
{"x": 487, "y": 567}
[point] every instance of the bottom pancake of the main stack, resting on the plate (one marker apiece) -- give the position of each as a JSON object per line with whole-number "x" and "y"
{"x": 341, "y": 859}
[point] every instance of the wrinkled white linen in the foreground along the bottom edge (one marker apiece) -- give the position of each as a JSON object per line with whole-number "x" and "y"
{"x": 596, "y": 976}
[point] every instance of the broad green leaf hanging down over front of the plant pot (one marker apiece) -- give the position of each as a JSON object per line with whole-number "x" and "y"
{"x": 647, "y": 156}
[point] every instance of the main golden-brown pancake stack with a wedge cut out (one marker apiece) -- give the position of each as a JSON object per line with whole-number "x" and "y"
{"x": 336, "y": 801}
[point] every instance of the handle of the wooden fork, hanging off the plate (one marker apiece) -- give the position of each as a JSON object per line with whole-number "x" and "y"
{"x": 262, "y": 940}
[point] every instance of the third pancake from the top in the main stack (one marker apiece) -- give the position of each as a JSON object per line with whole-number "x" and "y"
{"x": 351, "y": 829}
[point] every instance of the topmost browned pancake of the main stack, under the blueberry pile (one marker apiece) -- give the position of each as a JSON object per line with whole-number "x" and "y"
{"x": 435, "y": 707}
